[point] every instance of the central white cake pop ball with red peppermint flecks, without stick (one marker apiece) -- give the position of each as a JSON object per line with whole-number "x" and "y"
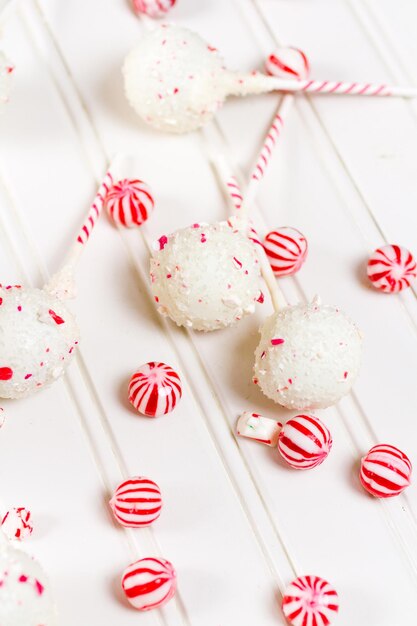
{"x": 206, "y": 276}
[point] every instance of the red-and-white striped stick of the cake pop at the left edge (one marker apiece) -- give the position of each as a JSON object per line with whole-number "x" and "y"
{"x": 62, "y": 284}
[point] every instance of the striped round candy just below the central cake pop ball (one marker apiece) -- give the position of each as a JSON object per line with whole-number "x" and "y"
{"x": 155, "y": 389}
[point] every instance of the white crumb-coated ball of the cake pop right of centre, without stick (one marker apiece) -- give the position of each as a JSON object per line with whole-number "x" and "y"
{"x": 308, "y": 356}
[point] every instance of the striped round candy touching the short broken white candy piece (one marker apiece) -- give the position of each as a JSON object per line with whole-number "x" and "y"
{"x": 304, "y": 441}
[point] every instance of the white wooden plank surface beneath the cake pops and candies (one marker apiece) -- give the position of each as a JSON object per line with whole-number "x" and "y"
{"x": 237, "y": 524}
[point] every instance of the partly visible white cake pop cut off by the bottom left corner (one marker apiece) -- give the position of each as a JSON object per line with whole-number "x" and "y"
{"x": 25, "y": 596}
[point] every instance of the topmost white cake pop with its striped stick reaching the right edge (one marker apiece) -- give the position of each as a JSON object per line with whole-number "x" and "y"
{"x": 176, "y": 82}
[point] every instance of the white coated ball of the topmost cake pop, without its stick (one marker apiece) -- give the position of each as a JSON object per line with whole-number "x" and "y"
{"x": 174, "y": 80}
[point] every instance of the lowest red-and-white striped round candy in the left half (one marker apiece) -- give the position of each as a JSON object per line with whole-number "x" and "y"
{"x": 149, "y": 583}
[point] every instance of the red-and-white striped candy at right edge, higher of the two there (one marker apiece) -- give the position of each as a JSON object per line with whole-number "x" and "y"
{"x": 391, "y": 268}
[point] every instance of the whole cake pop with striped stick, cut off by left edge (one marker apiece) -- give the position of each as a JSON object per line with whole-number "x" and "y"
{"x": 38, "y": 333}
